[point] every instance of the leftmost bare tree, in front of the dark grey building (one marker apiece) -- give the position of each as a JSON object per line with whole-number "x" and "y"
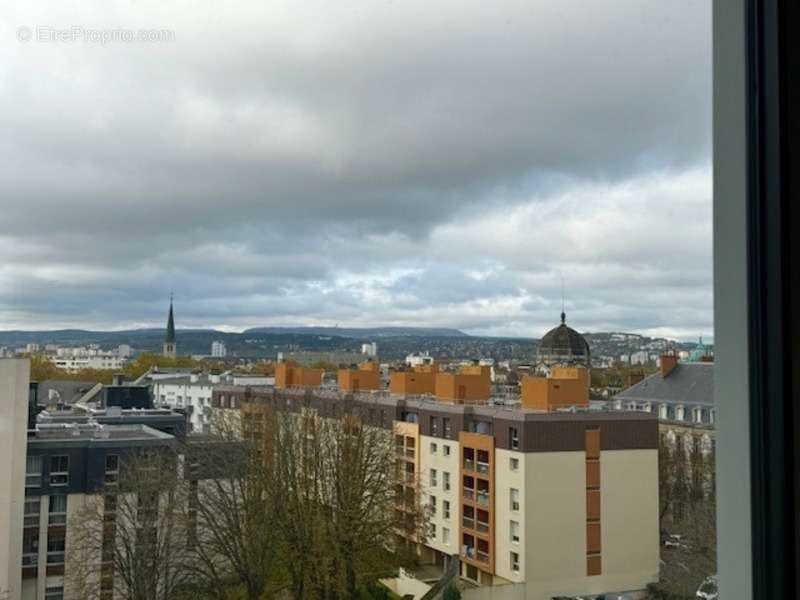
{"x": 129, "y": 538}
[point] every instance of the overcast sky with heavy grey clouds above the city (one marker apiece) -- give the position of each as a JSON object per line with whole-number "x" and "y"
{"x": 402, "y": 162}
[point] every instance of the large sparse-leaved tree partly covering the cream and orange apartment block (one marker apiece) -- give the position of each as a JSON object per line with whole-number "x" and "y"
{"x": 334, "y": 488}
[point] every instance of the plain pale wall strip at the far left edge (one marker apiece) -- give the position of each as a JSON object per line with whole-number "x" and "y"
{"x": 14, "y": 381}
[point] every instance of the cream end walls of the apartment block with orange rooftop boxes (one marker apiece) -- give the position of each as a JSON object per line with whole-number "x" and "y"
{"x": 553, "y": 549}
